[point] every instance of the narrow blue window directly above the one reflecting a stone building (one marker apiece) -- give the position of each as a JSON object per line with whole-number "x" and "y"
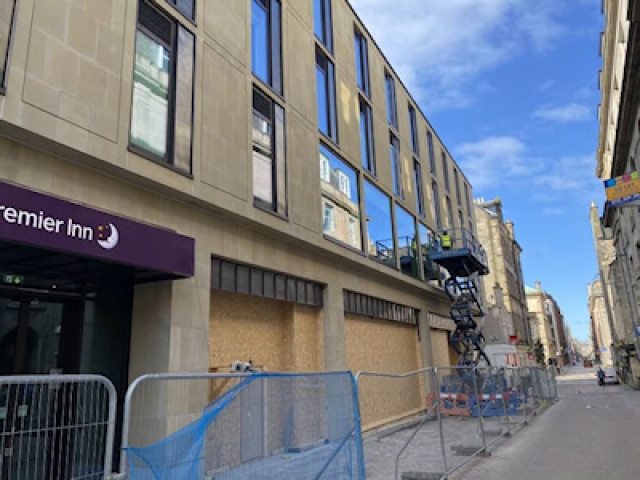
{"x": 326, "y": 96}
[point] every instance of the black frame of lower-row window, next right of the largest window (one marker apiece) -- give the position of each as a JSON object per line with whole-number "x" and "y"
{"x": 279, "y": 163}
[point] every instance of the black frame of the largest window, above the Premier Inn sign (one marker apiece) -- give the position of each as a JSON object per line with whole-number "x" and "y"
{"x": 168, "y": 160}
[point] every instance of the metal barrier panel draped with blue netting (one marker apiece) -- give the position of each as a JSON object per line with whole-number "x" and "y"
{"x": 262, "y": 425}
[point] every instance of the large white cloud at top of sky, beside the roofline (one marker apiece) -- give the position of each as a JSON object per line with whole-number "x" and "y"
{"x": 439, "y": 47}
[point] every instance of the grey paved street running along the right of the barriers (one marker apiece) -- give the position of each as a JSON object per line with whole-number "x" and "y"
{"x": 591, "y": 433}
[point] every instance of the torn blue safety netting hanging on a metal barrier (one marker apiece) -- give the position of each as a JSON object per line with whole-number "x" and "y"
{"x": 268, "y": 426}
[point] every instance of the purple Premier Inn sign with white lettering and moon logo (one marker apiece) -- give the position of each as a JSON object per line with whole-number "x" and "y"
{"x": 43, "y": 221}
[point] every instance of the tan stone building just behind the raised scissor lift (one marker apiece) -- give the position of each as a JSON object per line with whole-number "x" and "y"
{"x": 506, "y": 327}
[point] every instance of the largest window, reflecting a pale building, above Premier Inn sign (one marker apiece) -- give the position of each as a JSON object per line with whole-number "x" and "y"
{"x": 162, "y": 106}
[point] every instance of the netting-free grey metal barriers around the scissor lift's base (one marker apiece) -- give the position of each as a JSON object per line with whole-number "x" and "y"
{"x": 431, "y": 422}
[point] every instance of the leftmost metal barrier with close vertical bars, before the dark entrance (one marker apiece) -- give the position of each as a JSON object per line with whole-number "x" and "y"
{"x": 56, "y": 426}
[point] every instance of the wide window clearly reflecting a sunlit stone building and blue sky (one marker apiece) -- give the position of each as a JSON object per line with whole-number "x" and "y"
{"x": 340, "y": 200}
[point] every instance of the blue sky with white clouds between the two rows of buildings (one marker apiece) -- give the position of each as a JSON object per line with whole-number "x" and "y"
{"x": 511, "y": 88}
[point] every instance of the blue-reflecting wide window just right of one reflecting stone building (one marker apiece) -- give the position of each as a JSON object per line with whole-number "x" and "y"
{"x": 380, "y": 244}
